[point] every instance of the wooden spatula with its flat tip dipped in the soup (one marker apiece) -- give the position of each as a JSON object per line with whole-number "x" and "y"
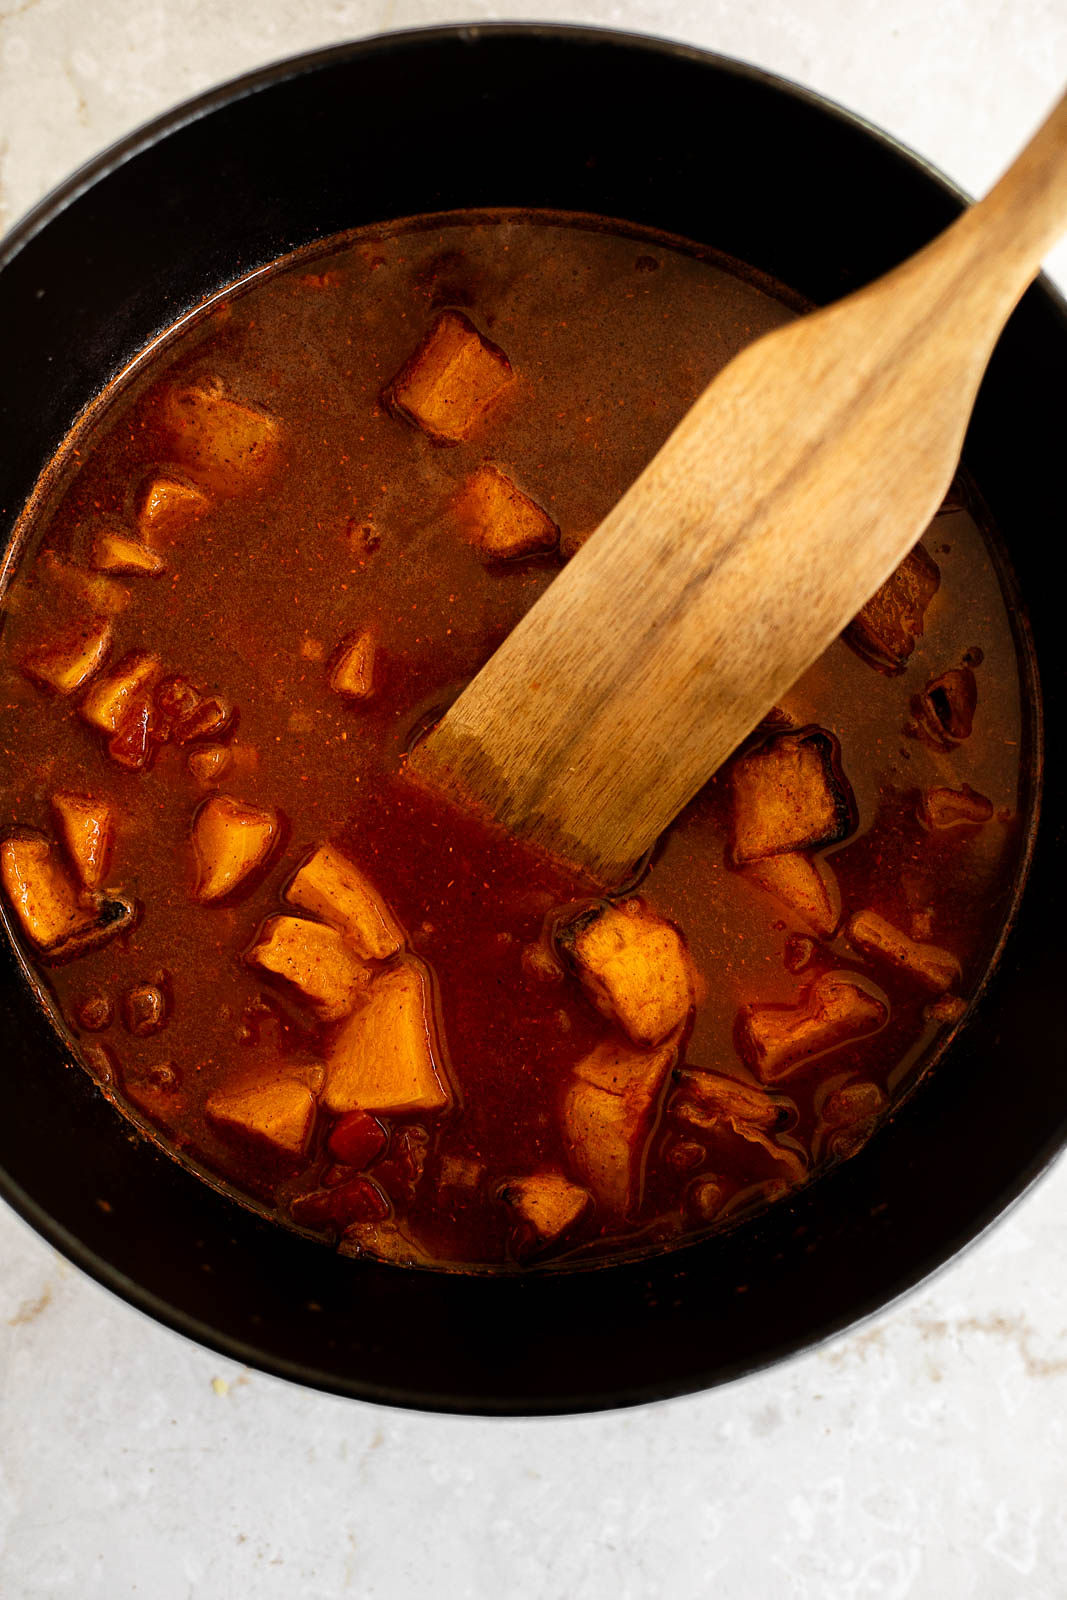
{"x": 783, "y": 500}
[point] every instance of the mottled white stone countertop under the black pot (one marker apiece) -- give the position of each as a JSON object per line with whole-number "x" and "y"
{"x": 922, "y": 1457}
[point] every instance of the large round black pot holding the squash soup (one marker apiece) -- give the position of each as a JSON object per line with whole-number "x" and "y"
{"x": 661, "y": 135}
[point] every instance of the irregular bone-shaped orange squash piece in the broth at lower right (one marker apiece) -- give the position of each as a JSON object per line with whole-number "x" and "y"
{"x": 834, "y": 1012}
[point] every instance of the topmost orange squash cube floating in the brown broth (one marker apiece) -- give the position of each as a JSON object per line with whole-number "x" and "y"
{"x": 450, "y": 382}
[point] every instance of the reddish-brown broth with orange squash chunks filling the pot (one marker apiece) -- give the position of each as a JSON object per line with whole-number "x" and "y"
{"x": 271, "y": 554}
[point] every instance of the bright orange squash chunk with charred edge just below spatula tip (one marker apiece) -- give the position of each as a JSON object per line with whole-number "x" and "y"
{"x": 634, "y": 967}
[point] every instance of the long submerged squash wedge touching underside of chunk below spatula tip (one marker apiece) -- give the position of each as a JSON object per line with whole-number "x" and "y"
{"x": 609, "y": 1111}
